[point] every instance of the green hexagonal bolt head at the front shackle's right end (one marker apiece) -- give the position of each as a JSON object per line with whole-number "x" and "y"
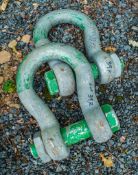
{"x": 111, "y": 117}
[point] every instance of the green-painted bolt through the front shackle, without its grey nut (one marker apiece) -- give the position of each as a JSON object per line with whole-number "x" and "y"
{"x": 79, "y": 131}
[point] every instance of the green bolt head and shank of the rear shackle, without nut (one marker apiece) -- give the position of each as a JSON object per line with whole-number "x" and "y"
{"x": 52, "y": 83}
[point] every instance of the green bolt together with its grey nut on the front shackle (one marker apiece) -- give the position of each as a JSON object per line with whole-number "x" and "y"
{"x": 74, "y": 133}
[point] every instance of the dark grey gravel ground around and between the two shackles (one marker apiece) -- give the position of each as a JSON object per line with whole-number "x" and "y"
{"x": 115, "y": 21}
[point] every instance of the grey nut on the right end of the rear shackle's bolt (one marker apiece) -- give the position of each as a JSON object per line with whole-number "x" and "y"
{"x": 117, "y": 64}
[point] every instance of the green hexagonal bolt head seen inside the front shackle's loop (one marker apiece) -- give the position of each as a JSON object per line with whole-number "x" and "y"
{"x": 51, "y": 82}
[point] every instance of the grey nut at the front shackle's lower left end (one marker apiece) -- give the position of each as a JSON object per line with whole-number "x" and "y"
{"x": 40, "y": 149}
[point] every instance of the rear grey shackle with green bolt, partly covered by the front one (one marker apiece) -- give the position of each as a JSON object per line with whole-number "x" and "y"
{"x": 105, "y": 66}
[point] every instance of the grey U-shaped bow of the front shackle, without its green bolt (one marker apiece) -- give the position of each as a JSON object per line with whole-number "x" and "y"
{"x": 52, "y": 142}
